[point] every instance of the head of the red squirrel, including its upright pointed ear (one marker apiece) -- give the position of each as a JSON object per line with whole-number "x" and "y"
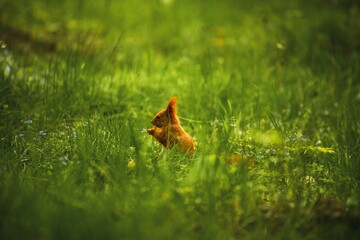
{"x": 166, "y": 116}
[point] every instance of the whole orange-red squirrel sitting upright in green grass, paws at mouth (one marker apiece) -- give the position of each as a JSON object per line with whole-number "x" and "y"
{"x": 168, "y": 131}
